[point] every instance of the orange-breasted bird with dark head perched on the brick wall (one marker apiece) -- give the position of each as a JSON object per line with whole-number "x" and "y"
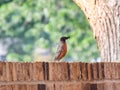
{"x": 62, "y": 49}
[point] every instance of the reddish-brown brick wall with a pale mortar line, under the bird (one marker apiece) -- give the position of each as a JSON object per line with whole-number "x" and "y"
{"x": 59, "y": 76}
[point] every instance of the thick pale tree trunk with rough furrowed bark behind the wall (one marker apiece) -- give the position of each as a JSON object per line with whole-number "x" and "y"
{"x": 104, "y": 18}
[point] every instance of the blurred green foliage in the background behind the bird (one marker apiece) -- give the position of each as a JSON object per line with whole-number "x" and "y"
{"x": 40, "y": 23}
